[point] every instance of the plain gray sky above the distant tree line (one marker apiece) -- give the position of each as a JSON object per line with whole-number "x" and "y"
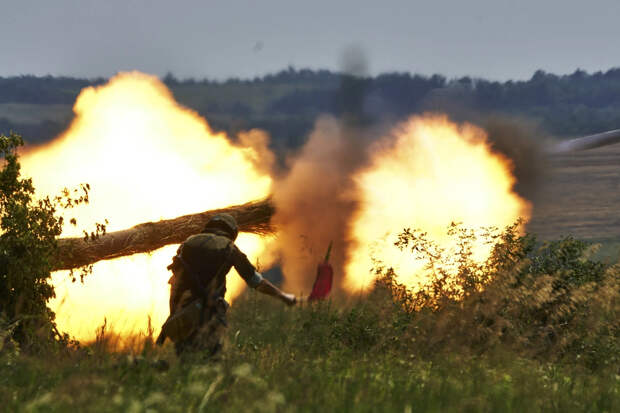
{"x": 496, "y": 39}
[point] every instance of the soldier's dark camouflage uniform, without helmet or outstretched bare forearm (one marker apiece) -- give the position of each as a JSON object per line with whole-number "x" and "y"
{"x": 209, "y": 257}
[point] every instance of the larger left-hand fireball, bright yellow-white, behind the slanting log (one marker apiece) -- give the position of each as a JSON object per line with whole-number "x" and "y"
{"x": 146, "y": 158}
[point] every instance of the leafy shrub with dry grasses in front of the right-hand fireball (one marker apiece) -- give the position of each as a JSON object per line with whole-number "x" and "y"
{"x": 546, "y": 300}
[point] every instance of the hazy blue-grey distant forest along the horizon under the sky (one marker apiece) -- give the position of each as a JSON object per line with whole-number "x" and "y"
{"x": 286, "y": 104}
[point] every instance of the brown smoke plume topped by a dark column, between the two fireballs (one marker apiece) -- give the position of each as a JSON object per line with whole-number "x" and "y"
{"x": 313, "y": 199}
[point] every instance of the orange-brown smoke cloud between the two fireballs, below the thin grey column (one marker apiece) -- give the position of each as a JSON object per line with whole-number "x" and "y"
{"x": 312, "y": 204}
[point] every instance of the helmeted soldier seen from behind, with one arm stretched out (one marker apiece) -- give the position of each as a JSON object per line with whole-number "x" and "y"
{"x": 198, "y": 284}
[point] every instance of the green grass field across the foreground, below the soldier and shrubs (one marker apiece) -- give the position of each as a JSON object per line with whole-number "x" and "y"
{"x": 317, "y": 358}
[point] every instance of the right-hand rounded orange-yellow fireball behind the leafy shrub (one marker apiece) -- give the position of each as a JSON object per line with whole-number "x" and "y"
{"x": 430, "y": 173}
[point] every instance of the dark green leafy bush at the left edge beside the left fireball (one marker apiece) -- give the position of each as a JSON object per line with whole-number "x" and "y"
{"x": 28, "y": 231}
